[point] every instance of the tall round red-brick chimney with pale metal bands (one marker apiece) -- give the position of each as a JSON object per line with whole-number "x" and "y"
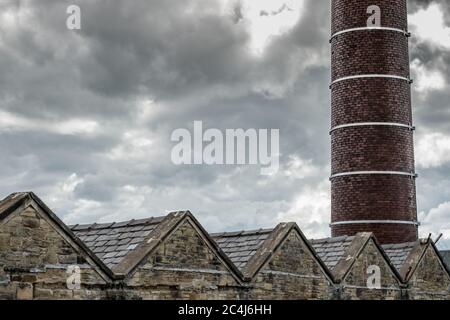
{"x": 372, "y": 155}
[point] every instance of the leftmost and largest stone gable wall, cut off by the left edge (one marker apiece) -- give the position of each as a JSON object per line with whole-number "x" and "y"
{"x": 34, "y": 259}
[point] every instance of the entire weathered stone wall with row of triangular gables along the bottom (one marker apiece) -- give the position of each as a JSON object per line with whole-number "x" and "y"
{"x": 35, "y": 254}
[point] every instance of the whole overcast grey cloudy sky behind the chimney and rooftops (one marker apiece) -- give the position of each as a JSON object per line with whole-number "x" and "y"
{"x": 86, "y": 116}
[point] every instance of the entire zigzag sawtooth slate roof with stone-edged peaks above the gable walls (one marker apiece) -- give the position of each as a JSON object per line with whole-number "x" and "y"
{"x": 118, "y": 247}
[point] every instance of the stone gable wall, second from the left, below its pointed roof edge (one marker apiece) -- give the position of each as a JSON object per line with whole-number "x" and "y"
{"x": 184, "y": 266}
